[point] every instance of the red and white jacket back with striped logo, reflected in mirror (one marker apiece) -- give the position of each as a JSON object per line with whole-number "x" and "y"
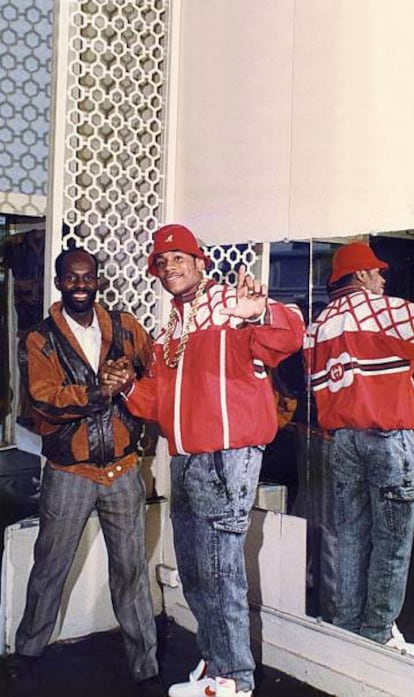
{"x": 360, "y": 351}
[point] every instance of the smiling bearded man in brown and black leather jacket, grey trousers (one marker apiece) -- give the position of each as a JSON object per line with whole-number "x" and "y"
{"x": 90, "y": 444}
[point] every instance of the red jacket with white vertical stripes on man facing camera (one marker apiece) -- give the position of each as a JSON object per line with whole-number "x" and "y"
{"x": 219, "y": 396}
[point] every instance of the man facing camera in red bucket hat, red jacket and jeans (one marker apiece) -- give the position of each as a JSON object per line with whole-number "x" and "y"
{"x": 210, "y": 393}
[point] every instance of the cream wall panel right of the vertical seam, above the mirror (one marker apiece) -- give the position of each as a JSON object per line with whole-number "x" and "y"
{"x": 352, "y": 117}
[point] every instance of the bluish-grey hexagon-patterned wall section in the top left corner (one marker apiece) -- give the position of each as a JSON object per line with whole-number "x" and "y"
{"x": 25, "y": 80}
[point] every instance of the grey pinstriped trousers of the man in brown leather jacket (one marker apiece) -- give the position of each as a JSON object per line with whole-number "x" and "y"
{"x": 66, "y": 501}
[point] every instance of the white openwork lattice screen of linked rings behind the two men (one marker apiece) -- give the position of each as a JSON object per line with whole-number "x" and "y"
{"x": 115, "y": 147}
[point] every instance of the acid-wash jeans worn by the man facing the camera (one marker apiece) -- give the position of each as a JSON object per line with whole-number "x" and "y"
{"x": 211, "y": 497}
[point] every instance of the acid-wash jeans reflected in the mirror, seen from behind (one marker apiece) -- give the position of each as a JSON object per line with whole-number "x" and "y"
{"x": 374, "y": 515}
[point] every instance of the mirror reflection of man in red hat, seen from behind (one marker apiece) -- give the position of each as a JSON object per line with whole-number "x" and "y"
{"x": 360, "y": 353}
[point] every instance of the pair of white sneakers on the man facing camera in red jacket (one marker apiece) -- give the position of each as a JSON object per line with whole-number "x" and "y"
{"x": 200, "y": 685}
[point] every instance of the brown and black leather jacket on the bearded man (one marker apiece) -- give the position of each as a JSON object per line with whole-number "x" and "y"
{"x": 77, "y": 423}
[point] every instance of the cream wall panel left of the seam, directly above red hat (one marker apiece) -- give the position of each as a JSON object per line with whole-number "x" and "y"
{"x": 234, "y": 119}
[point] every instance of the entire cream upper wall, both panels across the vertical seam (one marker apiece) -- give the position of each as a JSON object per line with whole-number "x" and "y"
{"x": 294, "y": 118}
